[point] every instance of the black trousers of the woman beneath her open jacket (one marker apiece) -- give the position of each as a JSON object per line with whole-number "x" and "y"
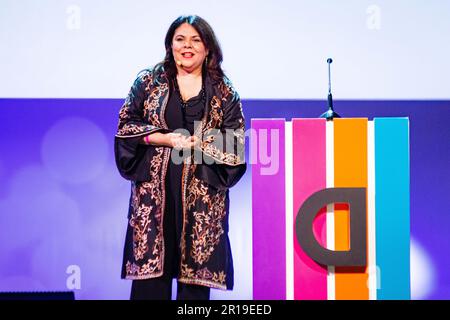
{"x": 161, "y": 288}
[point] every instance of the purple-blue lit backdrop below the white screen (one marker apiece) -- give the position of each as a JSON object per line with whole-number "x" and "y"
{"x": 62, "y": 202}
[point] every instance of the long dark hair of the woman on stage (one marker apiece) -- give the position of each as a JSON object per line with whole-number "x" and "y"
{"x": 214, "y": 58}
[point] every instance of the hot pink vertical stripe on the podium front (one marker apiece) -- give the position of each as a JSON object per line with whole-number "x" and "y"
{"x": 309, "y": 159}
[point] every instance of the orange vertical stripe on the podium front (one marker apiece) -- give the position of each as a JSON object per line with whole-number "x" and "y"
{"x": 350, "y": 170}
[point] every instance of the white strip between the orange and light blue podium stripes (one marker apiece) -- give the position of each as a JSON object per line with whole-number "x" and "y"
{"x": 372, "y": 270}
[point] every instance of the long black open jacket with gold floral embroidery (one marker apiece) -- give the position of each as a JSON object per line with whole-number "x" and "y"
{"x": 204, "y": 245}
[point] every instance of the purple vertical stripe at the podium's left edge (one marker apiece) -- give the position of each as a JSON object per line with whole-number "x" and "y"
{"x": 268, "y": 211}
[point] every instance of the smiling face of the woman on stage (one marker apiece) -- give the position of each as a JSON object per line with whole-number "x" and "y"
{"x": 188, "y": 48}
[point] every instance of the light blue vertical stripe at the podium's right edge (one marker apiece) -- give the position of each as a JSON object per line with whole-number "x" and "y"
{"x": 392, "y": 207}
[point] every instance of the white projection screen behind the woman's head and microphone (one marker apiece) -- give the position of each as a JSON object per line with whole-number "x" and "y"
{"x": 272, "y": 49}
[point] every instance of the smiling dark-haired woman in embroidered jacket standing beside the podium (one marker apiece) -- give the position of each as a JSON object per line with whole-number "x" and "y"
{"x": 180, "y": 142}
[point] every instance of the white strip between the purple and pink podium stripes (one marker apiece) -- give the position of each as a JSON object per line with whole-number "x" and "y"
{"x": 289, "y": 211}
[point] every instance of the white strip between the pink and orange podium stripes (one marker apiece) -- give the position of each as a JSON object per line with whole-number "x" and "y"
{"x": 331, "y": 282}
